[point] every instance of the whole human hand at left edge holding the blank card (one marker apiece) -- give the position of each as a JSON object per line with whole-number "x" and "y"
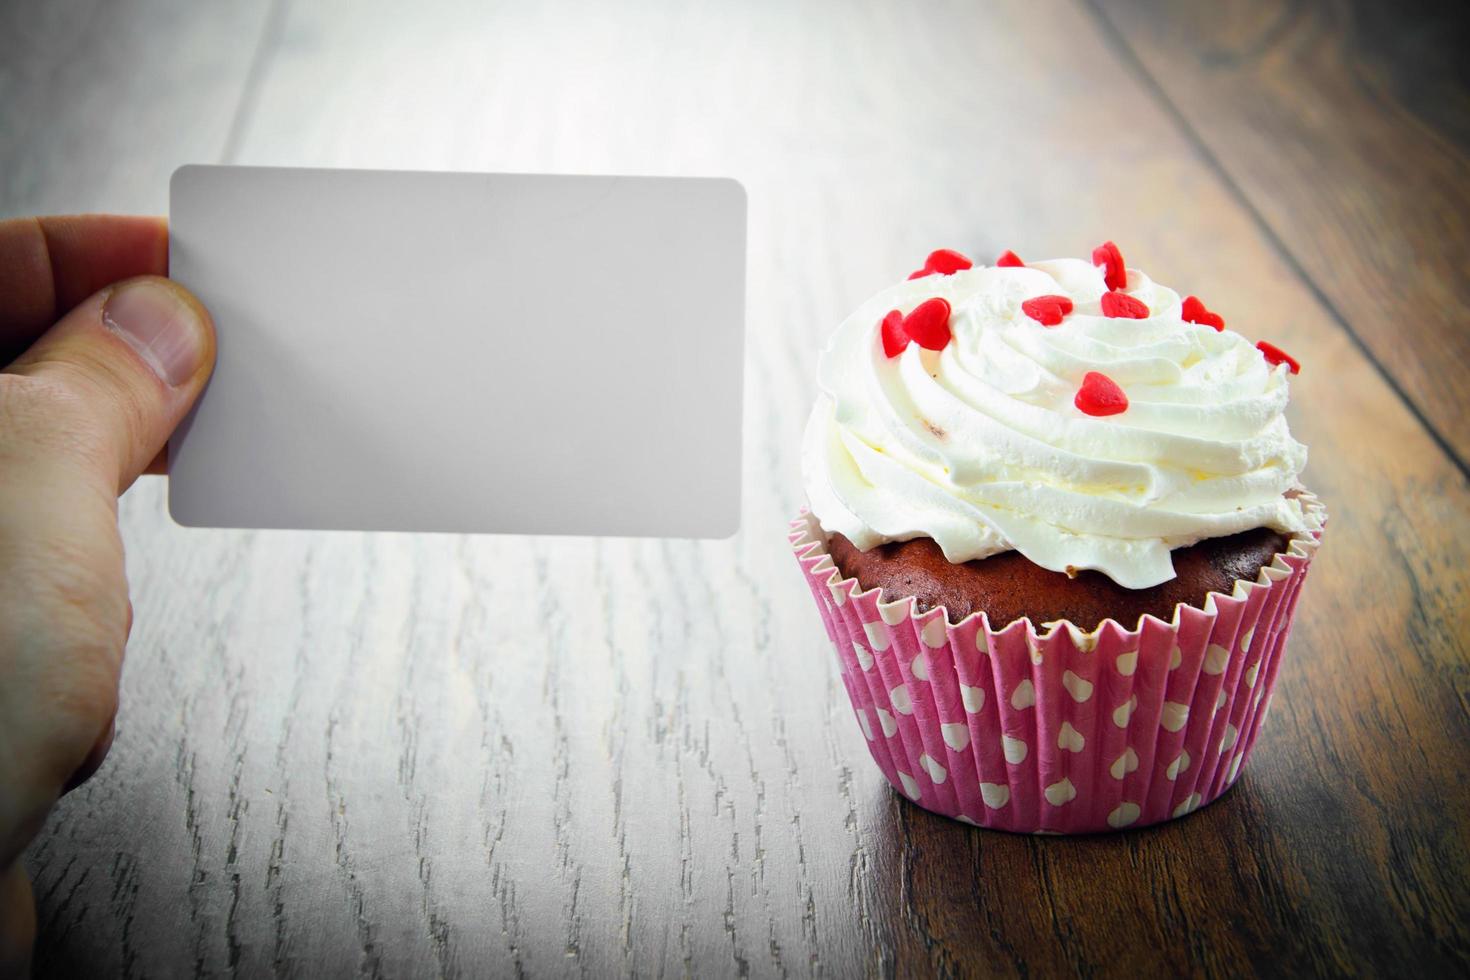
{"x": 101, "y": 359}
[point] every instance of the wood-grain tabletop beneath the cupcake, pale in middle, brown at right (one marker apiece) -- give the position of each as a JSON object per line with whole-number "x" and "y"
{"x": 424, "y": 754}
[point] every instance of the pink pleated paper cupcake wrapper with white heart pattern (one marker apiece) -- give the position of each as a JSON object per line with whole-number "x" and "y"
{"x": 1059, "y": 731}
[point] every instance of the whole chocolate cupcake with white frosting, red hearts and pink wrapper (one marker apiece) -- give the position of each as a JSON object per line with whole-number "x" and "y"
{"x": 1056, "y": 536}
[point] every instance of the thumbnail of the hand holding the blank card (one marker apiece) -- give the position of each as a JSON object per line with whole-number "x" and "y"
{"x": 161, "y": 324}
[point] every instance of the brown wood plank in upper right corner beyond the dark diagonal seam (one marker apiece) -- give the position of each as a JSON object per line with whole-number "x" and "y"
{"x": 1346, "y": 129}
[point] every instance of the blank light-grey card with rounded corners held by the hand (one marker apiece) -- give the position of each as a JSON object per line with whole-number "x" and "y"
{"x": 464, "y": 352}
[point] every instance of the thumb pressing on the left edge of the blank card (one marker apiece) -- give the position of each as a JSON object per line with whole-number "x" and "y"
{"x": 124, "y": 370}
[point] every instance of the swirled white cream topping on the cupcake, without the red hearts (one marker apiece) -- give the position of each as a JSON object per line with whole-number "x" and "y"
{"x": 981, "y": 447}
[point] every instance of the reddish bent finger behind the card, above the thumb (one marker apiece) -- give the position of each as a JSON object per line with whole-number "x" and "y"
{"x": 49, "y": 265}
